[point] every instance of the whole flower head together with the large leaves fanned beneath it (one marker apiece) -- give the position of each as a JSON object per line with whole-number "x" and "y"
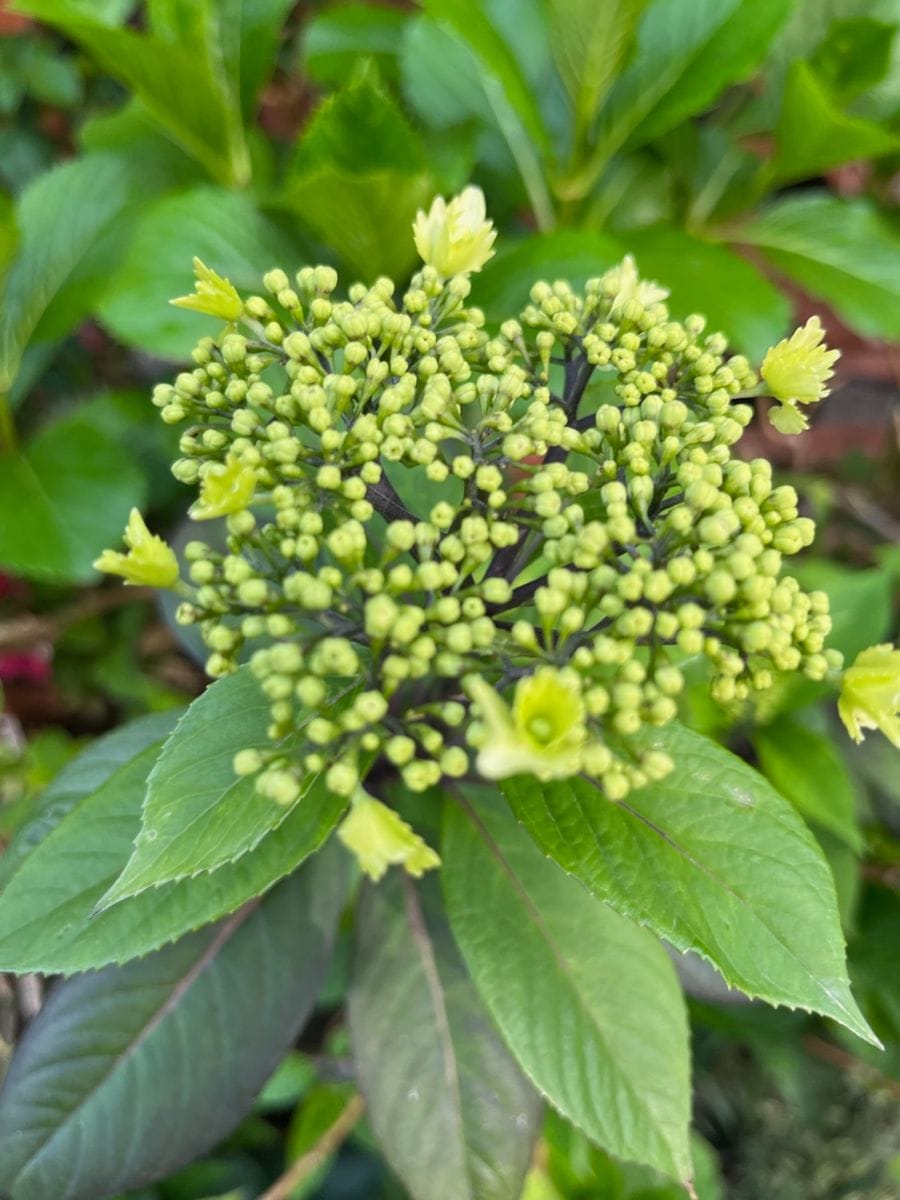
{"x": 463, "y": 579}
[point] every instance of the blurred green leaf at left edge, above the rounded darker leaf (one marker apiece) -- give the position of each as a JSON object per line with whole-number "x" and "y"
{"x": 63, "y": 219}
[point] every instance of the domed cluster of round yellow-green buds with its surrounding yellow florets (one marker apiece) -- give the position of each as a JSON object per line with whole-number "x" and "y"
{"x": 455, "y": 551}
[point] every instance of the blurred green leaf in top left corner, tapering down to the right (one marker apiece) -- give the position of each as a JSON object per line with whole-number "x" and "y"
{"x": 184, "y": 82}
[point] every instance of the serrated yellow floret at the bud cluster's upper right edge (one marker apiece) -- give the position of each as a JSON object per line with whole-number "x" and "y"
{"x": 797, "y": 373}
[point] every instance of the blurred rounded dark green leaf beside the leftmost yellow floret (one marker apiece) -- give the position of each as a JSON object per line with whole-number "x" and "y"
{"x": 71, "y": 488}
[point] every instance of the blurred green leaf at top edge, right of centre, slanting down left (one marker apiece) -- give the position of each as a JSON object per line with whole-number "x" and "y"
{"x": 686, "y": 53}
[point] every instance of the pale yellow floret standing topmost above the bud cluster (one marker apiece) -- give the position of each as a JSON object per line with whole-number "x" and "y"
{"x": 455, "y": 238}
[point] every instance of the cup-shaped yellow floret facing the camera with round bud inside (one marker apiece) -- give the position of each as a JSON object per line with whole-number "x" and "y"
{"x": 543, "y": 735}
